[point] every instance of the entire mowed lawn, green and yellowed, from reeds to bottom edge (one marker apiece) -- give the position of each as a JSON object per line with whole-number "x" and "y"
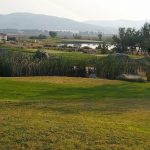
{"x": 64, "y": 113}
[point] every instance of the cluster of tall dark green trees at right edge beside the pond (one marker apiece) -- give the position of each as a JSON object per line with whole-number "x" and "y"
{"x": 129, "y": 39}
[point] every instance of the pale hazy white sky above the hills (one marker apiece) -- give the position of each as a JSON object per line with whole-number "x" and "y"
{"x": 81, "y": 9}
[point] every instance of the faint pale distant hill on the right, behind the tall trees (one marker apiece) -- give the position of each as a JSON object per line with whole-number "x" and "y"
{"x": 117, "y": 23}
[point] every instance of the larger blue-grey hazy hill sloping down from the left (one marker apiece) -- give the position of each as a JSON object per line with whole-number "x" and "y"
{"x": 43, "y": 22}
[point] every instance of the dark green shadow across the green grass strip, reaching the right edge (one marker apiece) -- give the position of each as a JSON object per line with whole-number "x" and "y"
{"x": 97, "y": 92}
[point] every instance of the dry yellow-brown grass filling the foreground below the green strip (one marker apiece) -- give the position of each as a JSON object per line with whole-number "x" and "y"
{"x": 107, "y": 124}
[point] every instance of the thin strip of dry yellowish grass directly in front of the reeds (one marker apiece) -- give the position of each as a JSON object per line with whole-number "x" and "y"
{"x": 81, "y": 82}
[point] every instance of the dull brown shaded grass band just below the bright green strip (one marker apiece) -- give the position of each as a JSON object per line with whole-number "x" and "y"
{"x": 67, "y": 107}
